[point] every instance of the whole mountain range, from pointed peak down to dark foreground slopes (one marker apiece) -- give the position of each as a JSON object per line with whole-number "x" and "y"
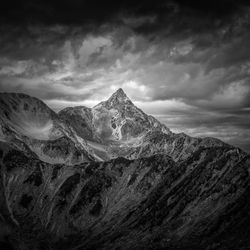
{"x": 113, "y": 177}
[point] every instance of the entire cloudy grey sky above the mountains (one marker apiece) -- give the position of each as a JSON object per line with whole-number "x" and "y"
{"x": 185, "y": 62}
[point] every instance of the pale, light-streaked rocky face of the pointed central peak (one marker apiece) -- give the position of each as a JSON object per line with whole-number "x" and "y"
{"x": 124, "y": 121}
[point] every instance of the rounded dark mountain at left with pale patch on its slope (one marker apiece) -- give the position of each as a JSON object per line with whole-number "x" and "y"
{"x": 33, "y": 127}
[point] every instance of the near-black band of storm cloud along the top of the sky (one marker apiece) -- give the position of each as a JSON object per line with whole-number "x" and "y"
{"x": 144, "y": 15}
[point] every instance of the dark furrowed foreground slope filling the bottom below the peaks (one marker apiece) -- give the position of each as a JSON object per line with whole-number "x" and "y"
{"x": 202, "y": 202}
